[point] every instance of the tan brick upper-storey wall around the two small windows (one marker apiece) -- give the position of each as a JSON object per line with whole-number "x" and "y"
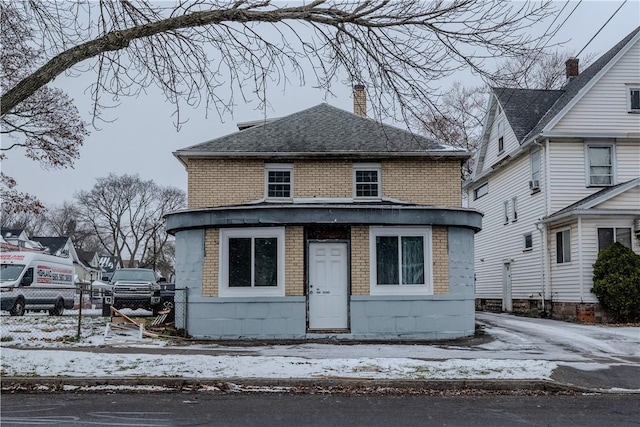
{"x": 216, "y": 182}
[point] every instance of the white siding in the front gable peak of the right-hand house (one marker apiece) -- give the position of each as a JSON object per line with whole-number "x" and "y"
{"x": 603, "y": 108}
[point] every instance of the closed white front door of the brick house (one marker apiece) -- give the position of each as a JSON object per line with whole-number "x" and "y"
{"x": 328, "y": 286}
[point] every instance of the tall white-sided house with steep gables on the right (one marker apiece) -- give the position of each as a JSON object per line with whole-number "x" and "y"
{"x": 557, "y": 178}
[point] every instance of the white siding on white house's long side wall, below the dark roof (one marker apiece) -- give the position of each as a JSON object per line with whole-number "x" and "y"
{"x": 493, "y": 244}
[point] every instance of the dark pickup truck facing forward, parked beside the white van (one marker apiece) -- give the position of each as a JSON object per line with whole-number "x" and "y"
{"x": 131, "y": 288}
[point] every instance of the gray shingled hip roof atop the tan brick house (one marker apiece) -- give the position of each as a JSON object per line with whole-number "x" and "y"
{"x": 322, "y": 129}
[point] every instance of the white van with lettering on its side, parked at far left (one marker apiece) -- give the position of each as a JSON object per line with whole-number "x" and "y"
{"x": 35, "y": 281}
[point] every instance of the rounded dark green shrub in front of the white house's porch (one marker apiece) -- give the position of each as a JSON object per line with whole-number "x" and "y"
{"x": 616, "y": 282}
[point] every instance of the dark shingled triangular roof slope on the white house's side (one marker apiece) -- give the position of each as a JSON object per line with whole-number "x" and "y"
{"x": 525, "y": 107}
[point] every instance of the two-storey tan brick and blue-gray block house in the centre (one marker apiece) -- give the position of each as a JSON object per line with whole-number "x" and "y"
{"x": 325, "y": 223}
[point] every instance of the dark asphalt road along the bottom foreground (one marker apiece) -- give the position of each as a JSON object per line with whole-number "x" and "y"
{"x": 284, "y": 410}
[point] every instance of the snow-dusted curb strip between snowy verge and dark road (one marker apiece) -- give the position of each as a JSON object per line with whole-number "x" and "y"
{"x": 287, "y": 385}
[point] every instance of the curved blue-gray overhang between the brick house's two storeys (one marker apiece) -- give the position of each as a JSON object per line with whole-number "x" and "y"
{"x": 344, "y": 214}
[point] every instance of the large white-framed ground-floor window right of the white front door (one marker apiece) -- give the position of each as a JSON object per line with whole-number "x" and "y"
{"x": 400, "y": 260}
